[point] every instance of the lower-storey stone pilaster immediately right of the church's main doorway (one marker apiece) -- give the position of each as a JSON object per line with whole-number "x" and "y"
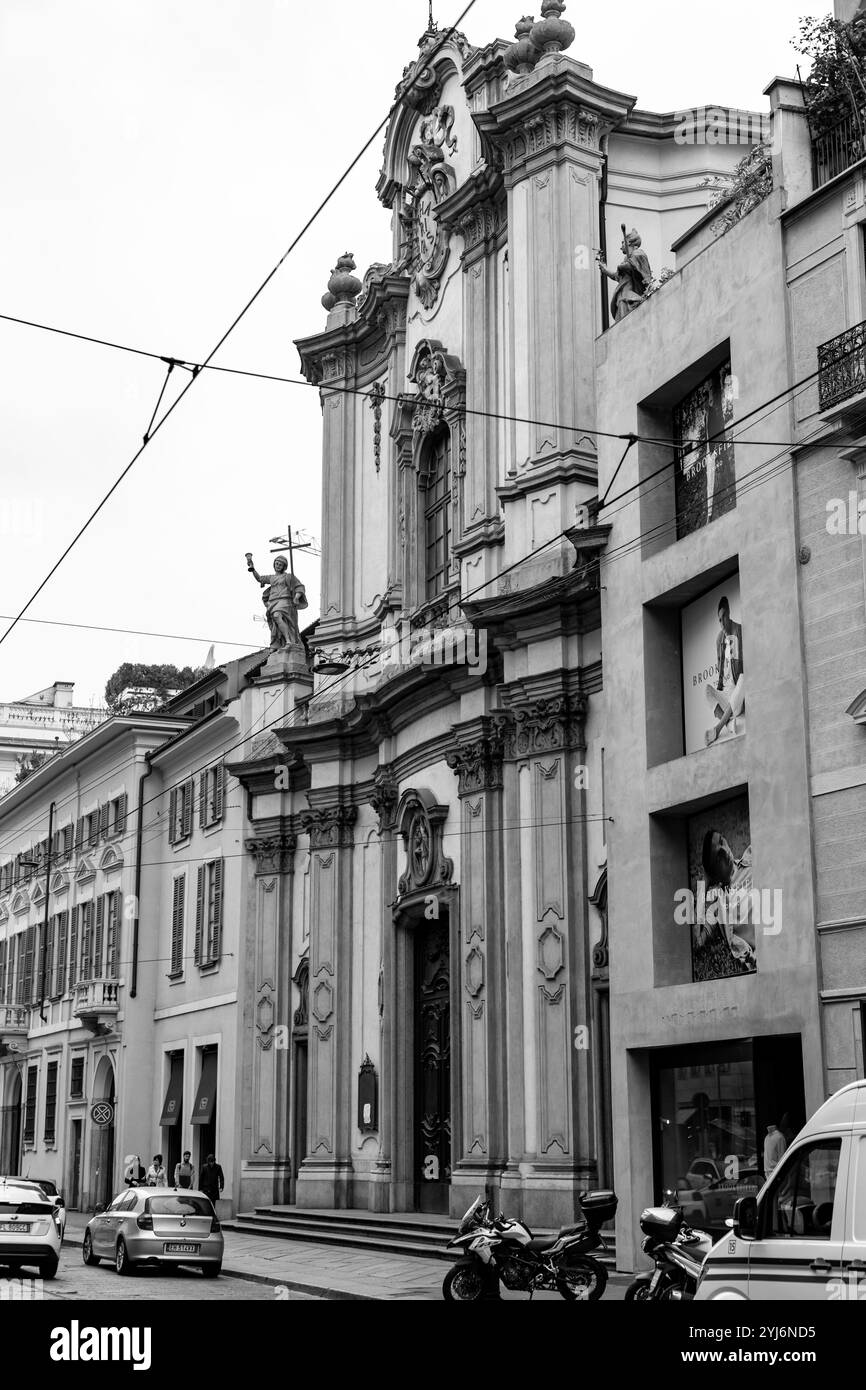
{"x": 479, "y": 1127}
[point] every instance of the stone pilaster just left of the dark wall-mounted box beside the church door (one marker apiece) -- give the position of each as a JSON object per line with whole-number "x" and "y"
{"x": 326, "y": 1174}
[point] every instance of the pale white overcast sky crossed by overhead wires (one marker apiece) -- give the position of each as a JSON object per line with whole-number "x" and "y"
{"x": 156, "y": 161}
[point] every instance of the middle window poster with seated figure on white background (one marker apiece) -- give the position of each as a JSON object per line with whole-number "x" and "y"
{"x": 714, "y": 671}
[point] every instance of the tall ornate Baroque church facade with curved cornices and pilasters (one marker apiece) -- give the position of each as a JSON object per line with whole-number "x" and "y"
{"x": 429, "y": 825}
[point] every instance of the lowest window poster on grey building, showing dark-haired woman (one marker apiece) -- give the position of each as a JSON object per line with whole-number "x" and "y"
{"x": 721, "y": 907}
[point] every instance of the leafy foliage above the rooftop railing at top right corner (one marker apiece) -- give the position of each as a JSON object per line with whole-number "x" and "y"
{"x": 836, "y": 87}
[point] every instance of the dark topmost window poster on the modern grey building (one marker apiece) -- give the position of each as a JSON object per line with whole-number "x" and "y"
{"x": 705, "y": 484}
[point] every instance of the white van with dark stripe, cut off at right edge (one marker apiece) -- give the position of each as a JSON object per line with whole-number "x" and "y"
{"x": 804, "y": 1236}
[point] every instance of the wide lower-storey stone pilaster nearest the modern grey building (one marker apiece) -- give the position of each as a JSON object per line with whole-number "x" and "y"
{"x": 555, "y": 1136}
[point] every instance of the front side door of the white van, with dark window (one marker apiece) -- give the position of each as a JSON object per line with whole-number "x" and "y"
{"x": 799, "y": 1253}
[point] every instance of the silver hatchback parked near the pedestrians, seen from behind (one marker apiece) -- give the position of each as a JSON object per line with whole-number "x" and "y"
{"x": 149, "y": 1227}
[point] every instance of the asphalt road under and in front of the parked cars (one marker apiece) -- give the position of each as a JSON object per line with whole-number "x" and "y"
{"x": 77, "y": 1282}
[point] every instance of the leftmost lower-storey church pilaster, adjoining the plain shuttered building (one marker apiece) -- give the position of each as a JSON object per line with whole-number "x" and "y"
{"x": 268, "y": 1161}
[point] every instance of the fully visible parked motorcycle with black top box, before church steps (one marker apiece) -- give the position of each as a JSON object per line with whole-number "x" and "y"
{"x": 507, "y": 1252}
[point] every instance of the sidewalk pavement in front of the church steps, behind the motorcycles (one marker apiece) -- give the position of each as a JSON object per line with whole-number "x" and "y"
{"x": 329, "y": 1273}
